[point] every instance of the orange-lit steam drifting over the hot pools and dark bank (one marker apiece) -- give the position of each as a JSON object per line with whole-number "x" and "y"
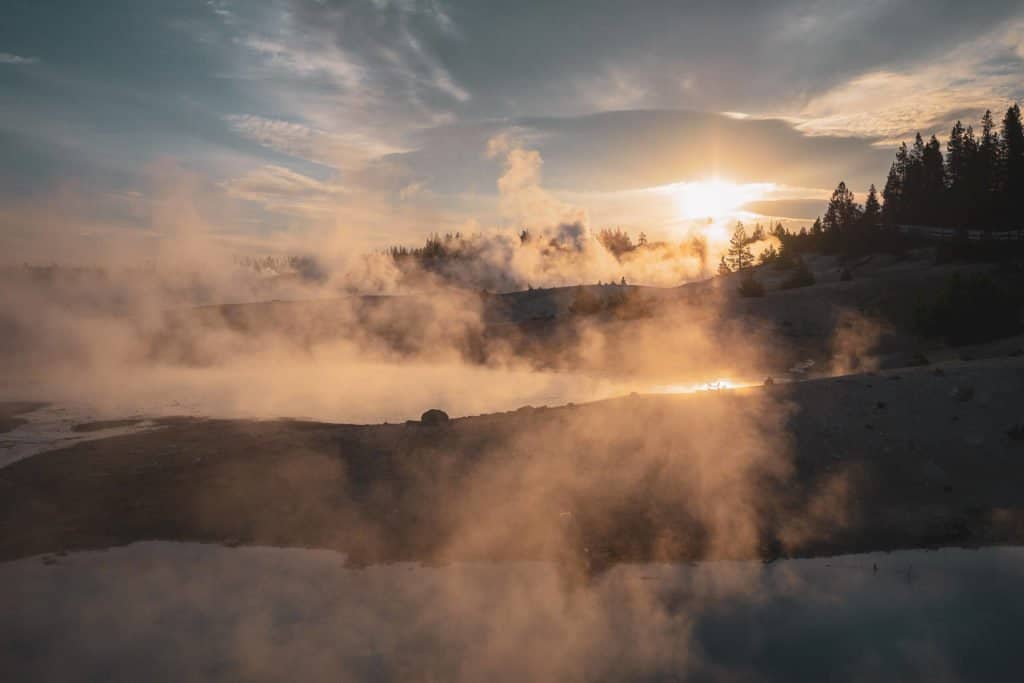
{"x": 645, "y": 479}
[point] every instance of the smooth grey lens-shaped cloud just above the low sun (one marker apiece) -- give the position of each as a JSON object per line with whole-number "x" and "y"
{"x": 627, "y": 151}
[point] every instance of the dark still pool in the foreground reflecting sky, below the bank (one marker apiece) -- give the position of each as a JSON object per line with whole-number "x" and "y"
{"x": 186, "y": 612}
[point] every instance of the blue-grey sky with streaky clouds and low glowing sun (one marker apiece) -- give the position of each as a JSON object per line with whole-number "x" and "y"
{"x": 381, "y": 121}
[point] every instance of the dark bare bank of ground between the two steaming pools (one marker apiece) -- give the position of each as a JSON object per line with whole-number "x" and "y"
{"x": 917, "y": 458}
